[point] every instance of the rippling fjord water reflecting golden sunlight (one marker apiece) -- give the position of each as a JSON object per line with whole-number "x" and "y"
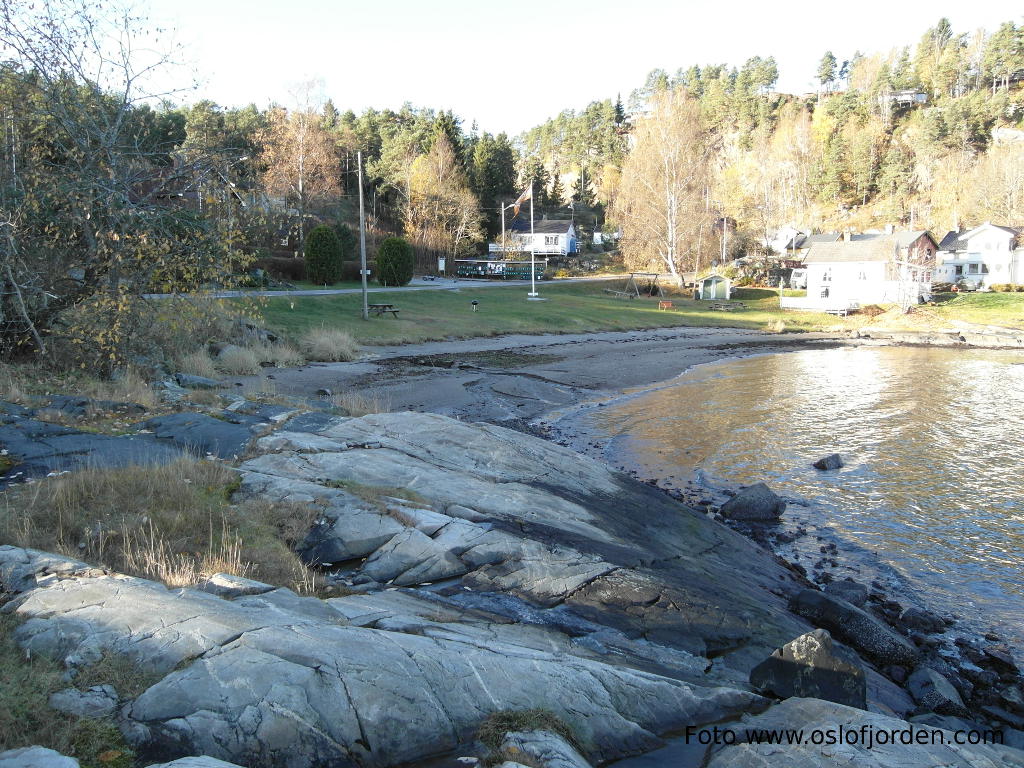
{"x": 933, "y": 439}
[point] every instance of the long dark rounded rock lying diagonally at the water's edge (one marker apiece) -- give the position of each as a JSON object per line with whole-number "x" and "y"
{"x": 855, "y": 627}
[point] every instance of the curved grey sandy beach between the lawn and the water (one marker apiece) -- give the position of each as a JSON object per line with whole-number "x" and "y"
{"x": 518, "y": 379}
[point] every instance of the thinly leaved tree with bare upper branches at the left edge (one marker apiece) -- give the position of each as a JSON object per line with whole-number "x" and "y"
{"x": 86, "y": 224}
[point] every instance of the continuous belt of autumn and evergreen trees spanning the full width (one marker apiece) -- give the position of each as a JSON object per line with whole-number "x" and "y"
{"x": 110, "y": 188}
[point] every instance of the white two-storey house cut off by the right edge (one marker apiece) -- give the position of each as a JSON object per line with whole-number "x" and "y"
{"x": 987, "y": 255}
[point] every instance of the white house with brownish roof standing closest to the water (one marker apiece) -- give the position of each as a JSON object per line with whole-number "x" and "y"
{"x": 884, "y": 269}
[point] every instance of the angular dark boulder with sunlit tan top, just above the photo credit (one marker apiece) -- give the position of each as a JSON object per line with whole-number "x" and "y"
{"x": 812, "y": 667}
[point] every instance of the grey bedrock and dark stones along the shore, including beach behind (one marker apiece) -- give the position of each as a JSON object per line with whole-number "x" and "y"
{"x": 484, "y": 571}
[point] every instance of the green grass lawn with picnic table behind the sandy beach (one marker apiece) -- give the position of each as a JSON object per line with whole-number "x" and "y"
{"x": 578, "y": 308}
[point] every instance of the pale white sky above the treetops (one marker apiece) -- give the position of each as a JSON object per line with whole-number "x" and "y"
{"x": 510, "y": 66}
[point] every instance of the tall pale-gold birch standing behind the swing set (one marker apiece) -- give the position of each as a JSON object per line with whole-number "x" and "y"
{"x": 661, "y": 204}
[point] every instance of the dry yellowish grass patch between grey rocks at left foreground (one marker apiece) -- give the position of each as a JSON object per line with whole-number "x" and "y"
{"x": 173, "y": 523}
